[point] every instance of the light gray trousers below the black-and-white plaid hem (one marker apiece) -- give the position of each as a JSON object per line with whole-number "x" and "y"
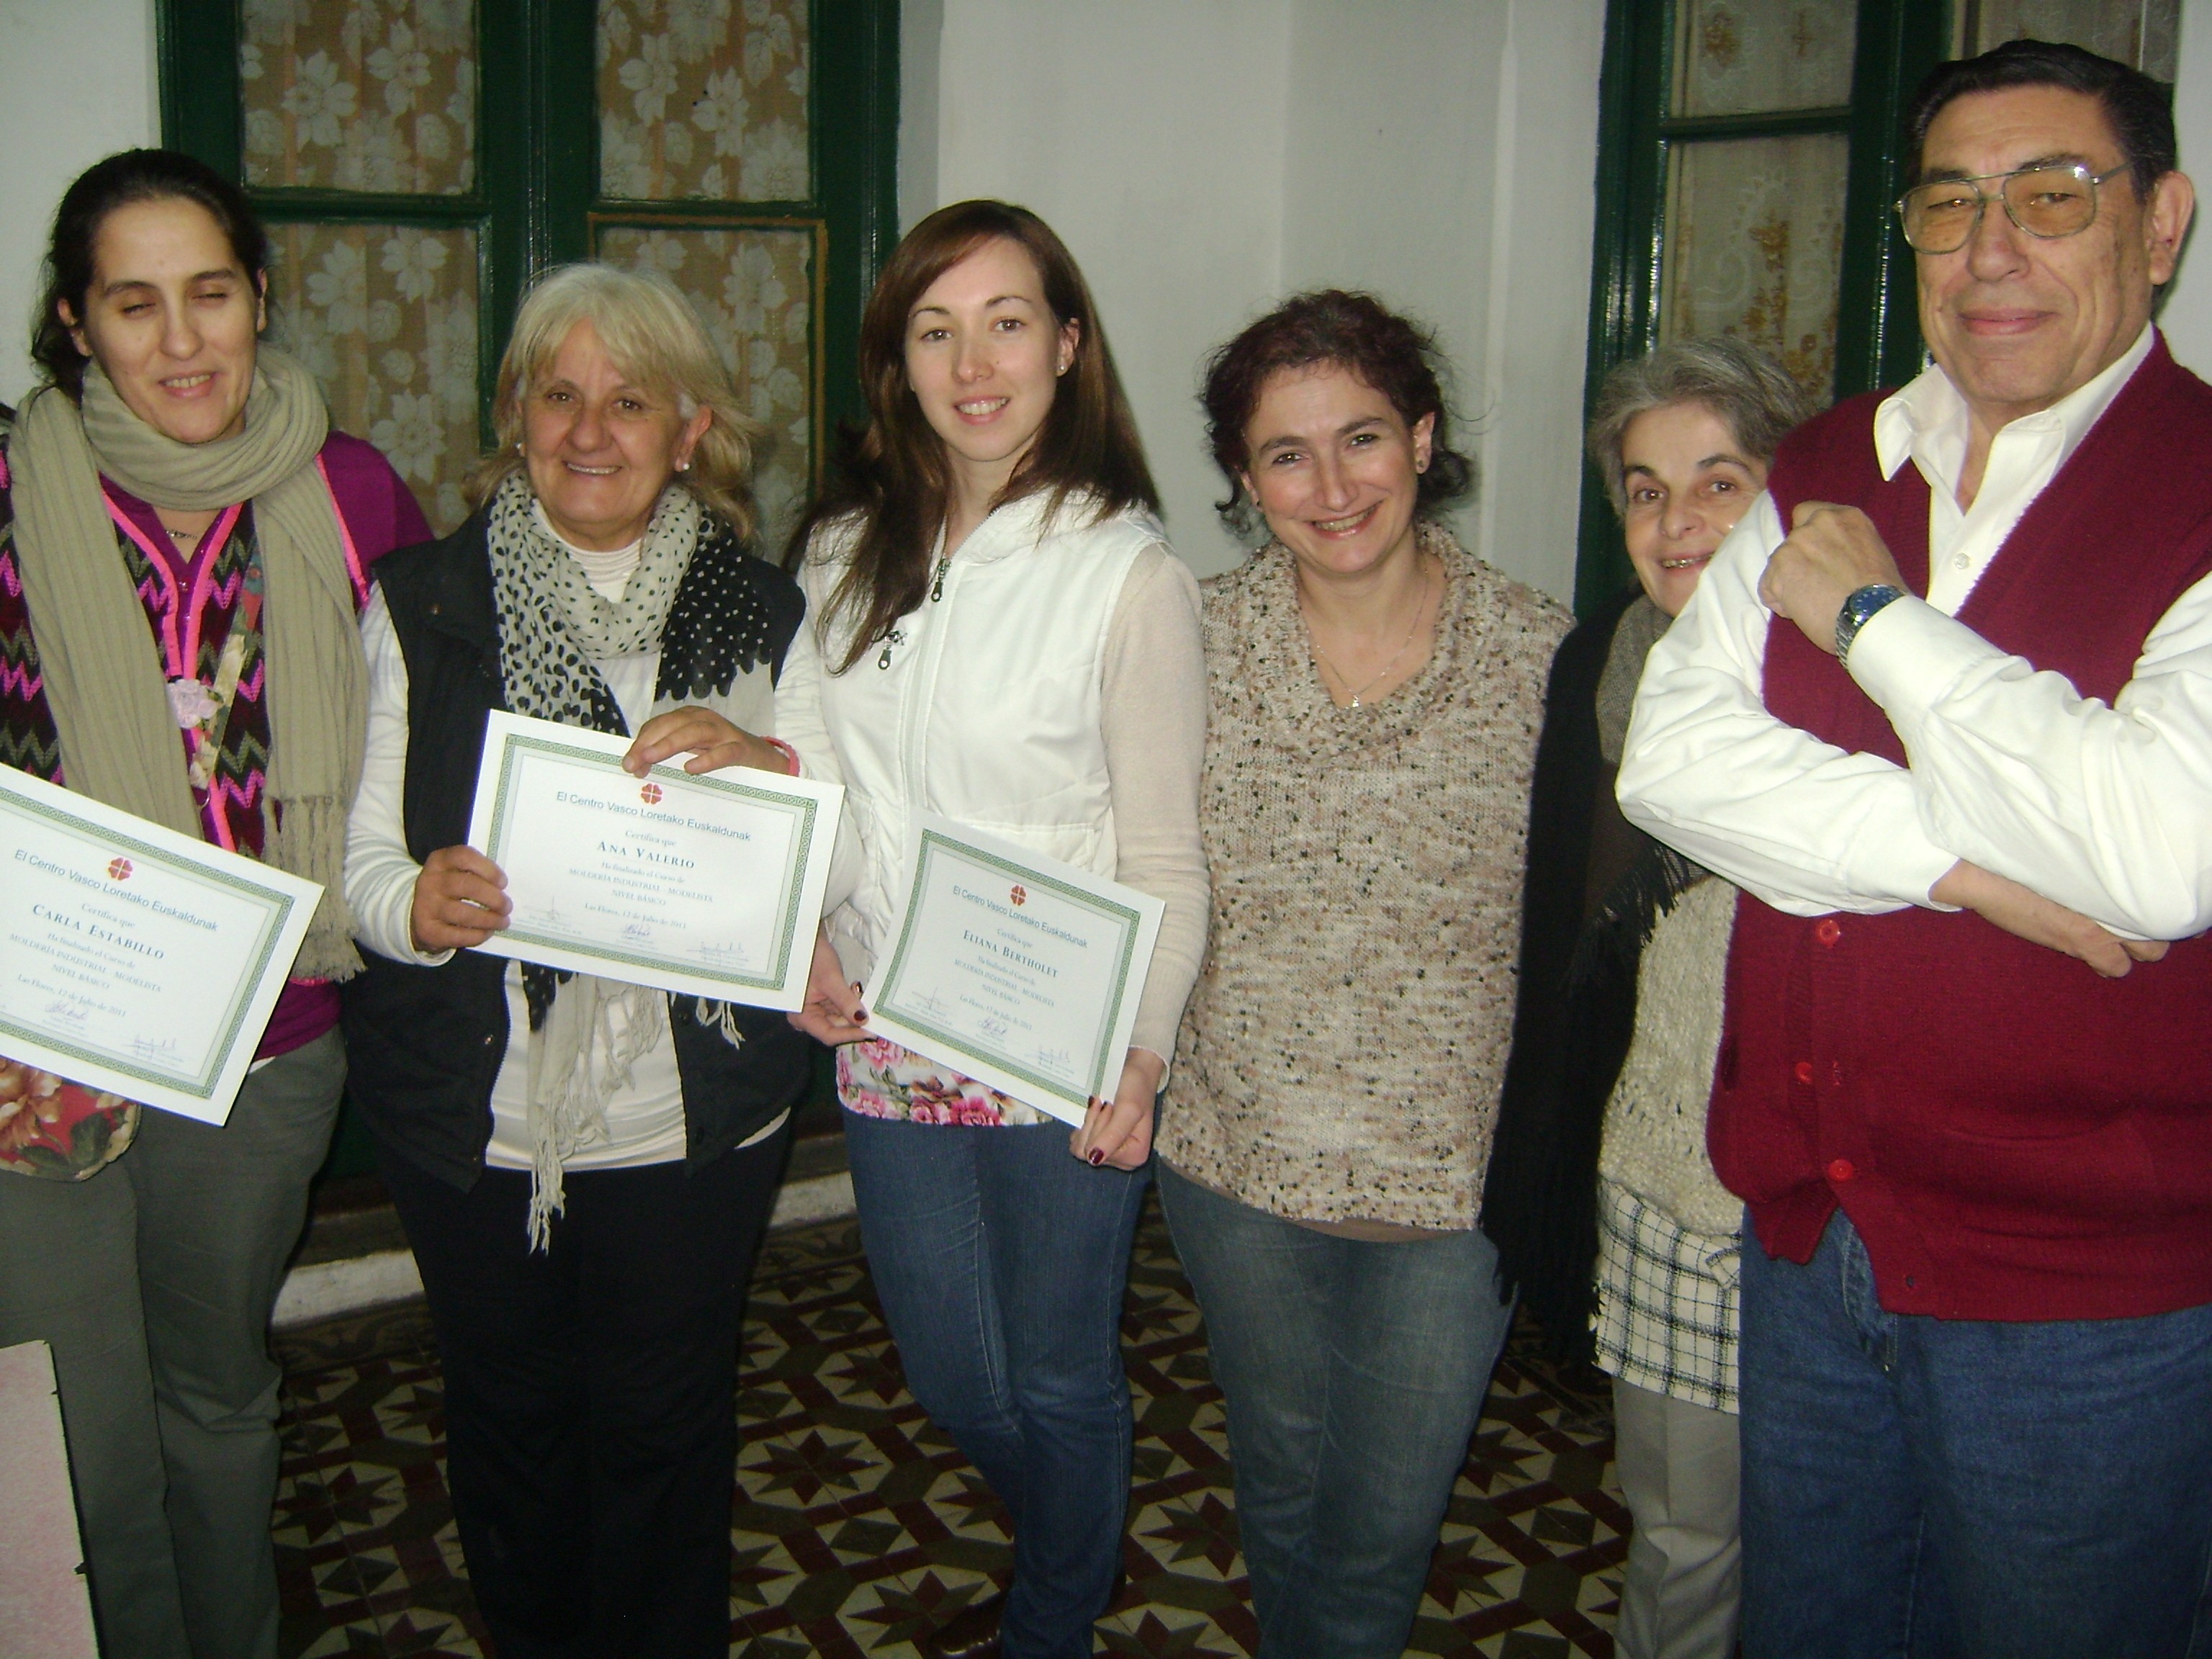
{"x": 1680, "y": 1474}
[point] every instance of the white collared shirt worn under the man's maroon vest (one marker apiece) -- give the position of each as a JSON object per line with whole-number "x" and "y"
{"x": 2100, "y": 808}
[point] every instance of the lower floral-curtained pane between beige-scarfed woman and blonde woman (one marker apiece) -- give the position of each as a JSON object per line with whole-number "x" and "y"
{"x": 386, "y": 320}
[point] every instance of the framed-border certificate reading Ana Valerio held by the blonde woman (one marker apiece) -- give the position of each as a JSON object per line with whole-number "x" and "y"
{"x": 707, "y": 884}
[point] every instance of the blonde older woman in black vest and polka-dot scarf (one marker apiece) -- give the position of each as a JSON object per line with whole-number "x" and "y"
{"x": 583, "y": 1167}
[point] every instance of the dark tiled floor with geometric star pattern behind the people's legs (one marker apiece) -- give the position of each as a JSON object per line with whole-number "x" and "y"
{"x": 859, "y": 1527}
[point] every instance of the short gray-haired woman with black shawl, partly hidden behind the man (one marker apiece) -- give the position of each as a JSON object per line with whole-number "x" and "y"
{"x": 1600, "y": 1171}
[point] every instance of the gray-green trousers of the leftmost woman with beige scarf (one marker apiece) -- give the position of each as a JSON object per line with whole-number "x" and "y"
{"x": 154, "y": 1282}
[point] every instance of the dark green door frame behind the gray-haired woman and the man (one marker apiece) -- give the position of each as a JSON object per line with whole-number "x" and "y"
{"x": 1877, "y": 326}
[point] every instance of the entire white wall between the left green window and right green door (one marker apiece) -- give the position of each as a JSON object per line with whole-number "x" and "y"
{"x": 1207, "y": 158}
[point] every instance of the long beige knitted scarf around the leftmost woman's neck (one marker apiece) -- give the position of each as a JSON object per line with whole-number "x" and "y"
{"x": 103, "y": 678}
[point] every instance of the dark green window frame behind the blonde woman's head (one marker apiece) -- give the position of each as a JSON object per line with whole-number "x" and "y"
{"x": 536, "y": 198}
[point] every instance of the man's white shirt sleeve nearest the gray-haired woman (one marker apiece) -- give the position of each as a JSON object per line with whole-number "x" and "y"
{"x": 1802, "y": 824}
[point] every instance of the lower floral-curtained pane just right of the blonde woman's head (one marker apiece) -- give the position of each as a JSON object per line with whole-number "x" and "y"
{"x": 755, "y": 293}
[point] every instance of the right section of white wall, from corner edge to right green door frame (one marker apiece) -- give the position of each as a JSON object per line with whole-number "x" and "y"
{"x": 1441, "y": 156}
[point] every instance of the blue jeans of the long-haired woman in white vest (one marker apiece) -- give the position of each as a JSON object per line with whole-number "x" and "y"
{"x": 1001, "y": 1264}
